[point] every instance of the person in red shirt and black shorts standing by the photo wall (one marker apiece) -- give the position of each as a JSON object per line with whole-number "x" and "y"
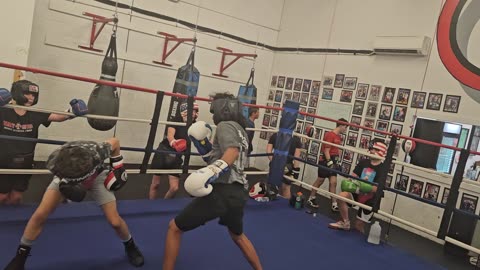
{"x": 329, "y": 157}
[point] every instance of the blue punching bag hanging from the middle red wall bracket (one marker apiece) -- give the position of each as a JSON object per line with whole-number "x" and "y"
{"x": 186, "y": 83}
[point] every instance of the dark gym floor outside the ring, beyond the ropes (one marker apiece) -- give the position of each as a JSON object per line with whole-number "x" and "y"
{"x": 138, "y": 189}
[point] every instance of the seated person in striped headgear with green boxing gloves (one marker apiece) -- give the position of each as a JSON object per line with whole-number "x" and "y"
{"x": 361, "y": 192}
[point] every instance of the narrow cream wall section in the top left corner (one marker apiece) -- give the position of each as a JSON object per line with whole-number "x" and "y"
{"x": 17, "y": 30}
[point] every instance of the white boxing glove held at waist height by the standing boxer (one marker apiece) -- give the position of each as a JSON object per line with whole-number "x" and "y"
{"x": 198, "y": 183}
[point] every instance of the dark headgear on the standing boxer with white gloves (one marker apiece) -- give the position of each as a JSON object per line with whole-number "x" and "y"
{"x": 227, "y": 109}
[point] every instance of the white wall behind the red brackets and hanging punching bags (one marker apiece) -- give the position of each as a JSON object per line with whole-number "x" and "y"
{"x": 59, "y": 27}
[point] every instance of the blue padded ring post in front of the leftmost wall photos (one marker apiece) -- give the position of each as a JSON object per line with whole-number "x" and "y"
{"x": 288, "y": 123}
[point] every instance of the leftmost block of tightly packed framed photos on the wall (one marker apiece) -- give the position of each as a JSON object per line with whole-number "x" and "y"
{"x": 304, "y": 91}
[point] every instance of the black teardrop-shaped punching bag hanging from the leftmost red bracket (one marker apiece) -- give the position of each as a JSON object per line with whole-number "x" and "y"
{"x": 104, "y": 99}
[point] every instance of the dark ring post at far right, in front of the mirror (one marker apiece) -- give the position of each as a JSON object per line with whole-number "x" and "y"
{"x": 453, "y": 195}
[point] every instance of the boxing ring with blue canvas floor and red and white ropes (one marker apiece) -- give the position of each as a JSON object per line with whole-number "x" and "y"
{"x": 76, "y": 236}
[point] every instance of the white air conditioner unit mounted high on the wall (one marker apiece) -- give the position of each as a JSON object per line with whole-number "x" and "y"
{"x": 402, "y": 45}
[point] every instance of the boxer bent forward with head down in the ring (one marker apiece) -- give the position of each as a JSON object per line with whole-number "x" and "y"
{"x": 78, "y": 168}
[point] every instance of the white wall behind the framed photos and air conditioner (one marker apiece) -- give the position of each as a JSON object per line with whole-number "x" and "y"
{"x": 351, "y": 24}
